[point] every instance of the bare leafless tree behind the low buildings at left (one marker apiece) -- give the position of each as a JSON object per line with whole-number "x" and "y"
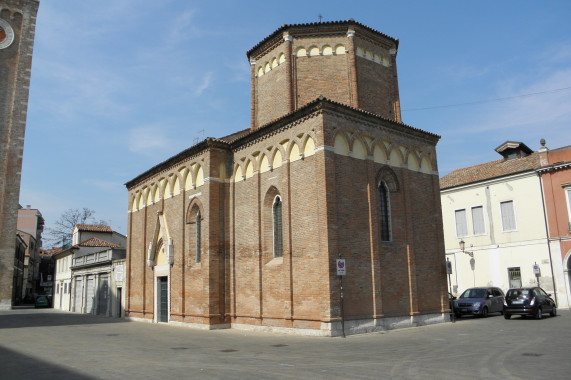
{"x": 61, "y": 232}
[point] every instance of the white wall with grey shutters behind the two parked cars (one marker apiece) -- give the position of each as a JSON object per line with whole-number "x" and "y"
{"x": 497, "y": 250}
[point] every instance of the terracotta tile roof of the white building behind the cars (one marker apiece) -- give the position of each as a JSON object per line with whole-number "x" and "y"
{"x": 488, "y": 170}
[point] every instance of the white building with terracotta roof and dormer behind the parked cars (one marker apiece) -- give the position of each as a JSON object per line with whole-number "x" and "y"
{"x": 496, "y": 209}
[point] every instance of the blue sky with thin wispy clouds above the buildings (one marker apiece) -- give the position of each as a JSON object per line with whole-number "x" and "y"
{"x": 121, "y": 85}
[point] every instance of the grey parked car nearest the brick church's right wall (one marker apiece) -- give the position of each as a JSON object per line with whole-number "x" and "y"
{"x": 479, "y": 302}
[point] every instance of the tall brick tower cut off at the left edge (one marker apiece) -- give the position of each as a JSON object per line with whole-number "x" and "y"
{"x": 15, "y": 66}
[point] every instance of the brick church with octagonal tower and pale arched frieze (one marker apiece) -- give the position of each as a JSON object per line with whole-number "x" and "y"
{"x": 244, "y": 231}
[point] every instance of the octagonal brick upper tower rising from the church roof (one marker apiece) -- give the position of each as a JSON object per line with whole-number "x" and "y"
{"x": 344, "y": 61}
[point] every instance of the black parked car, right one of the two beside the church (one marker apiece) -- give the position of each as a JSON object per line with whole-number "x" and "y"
{"x": 529, "y": 301}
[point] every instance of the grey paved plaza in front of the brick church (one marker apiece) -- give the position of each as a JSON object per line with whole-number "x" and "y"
{"x": 49, "y": 344}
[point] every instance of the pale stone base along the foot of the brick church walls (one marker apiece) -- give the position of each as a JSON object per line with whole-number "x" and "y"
{"x": 333, "y": 329}
